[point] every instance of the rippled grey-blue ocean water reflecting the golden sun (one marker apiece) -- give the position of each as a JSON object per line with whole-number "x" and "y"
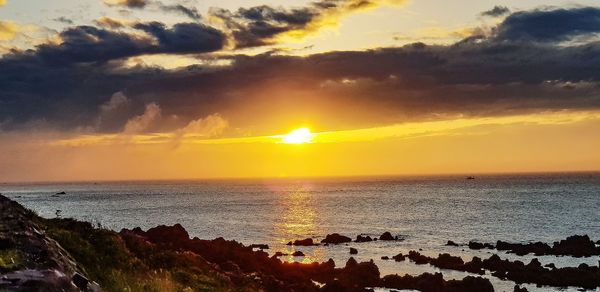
{"x": 425, "y": 211}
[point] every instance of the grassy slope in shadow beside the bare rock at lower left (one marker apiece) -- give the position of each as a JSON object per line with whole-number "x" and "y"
{"x": 104, "y": 257}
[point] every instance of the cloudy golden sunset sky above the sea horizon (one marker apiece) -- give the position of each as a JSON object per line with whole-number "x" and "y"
{"x": 189, "y": 89}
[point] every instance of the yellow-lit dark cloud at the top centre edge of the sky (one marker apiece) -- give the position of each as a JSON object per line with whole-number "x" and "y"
{"x": 261, "y": 25}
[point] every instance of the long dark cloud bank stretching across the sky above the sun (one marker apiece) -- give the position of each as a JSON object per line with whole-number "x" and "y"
{"x": 475, "y": 77}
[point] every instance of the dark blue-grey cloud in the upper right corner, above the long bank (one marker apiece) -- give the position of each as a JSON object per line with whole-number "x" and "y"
{"x": 553, "y": 25}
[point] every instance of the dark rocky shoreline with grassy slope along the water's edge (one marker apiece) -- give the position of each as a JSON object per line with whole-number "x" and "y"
{"x": 38, "y": 254}
